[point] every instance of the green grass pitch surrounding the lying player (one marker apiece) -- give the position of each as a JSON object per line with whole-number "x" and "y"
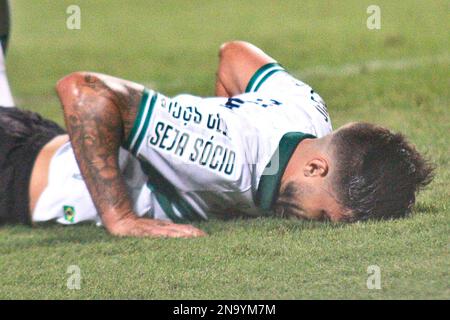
{"x": 397, "y": 76}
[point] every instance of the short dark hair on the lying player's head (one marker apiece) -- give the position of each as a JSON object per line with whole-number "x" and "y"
{"x": 378, "y": 172}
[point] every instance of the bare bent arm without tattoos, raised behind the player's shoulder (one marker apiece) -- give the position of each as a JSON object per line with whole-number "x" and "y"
{"x": 239, "y": 61}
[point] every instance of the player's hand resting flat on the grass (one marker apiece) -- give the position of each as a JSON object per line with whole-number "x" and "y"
{"x": 142, "y": 227}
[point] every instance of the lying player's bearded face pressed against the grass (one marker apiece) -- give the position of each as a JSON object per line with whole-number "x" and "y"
{"x": 307, "y": 202}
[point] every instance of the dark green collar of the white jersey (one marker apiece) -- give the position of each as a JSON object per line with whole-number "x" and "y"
{"x": 269, "y": 184}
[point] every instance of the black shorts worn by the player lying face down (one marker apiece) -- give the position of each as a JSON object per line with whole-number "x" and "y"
{"x": 22, "y": 136}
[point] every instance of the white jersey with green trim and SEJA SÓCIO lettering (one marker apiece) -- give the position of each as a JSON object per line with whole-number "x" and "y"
{"x": 200, "y": 157}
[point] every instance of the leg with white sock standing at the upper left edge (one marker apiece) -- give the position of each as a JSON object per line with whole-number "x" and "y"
{"x": 6, "y": 99}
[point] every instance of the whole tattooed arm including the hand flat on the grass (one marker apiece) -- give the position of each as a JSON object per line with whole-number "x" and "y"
{"x": 99, "y": 112}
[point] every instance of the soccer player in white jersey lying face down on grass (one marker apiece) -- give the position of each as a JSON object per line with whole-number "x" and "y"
{"x": 263, "y": 146}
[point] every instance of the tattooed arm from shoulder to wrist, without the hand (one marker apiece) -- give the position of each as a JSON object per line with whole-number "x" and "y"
{"x": 98, "y": 119}
